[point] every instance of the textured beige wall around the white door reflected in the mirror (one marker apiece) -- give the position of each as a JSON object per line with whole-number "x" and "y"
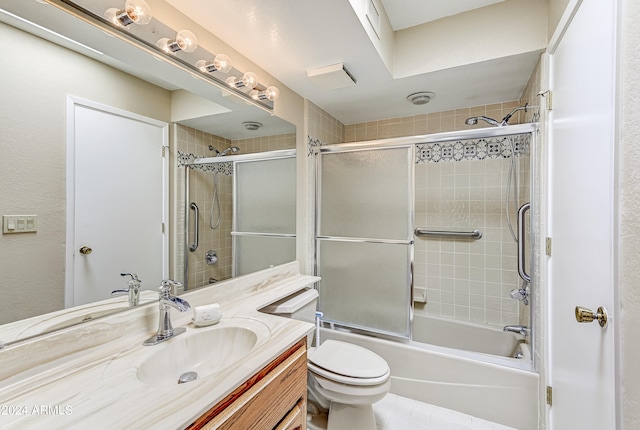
{"x": 37, "y": 76}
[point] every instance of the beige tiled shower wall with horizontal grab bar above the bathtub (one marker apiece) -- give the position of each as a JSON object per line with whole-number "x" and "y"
{"x": 467, "y": 279}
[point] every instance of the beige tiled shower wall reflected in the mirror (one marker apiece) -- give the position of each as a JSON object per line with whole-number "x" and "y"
{"x": 191, "y": 143}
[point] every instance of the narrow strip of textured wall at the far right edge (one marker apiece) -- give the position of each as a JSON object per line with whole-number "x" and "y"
{"x": 629, "y": 204}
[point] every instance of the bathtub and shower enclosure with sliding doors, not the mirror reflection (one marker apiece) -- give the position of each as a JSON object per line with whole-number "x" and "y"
{"x": 424, "y": 251}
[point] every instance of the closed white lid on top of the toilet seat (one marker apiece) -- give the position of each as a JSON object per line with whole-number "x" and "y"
{"x": 349, "y": 360}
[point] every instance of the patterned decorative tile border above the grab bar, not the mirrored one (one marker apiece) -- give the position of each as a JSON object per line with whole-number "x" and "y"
{"x": 472, "y": 149}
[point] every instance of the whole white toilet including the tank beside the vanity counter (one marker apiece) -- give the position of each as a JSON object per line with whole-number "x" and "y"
{"x": 343, "y": 379}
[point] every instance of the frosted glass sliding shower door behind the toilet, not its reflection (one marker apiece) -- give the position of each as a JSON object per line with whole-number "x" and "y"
{"x": 364, "y": 239}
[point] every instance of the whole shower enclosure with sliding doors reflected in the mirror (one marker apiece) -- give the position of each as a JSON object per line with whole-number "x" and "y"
{"x": 238, "y": 213}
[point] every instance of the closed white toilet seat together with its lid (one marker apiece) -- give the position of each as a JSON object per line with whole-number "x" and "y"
{"x": 348, "y": 364}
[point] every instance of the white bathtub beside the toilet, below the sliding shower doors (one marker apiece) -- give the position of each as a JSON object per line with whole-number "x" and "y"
{"x": 491, "y": 387}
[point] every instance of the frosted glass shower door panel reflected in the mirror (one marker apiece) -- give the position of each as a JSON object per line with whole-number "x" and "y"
{"x": 264, "y": 233}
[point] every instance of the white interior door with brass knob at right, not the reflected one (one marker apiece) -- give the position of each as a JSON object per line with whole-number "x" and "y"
{"x": 581, "y": 210}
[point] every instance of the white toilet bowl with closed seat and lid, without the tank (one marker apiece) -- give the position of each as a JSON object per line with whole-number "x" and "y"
{"x": 346, "y": 380}
